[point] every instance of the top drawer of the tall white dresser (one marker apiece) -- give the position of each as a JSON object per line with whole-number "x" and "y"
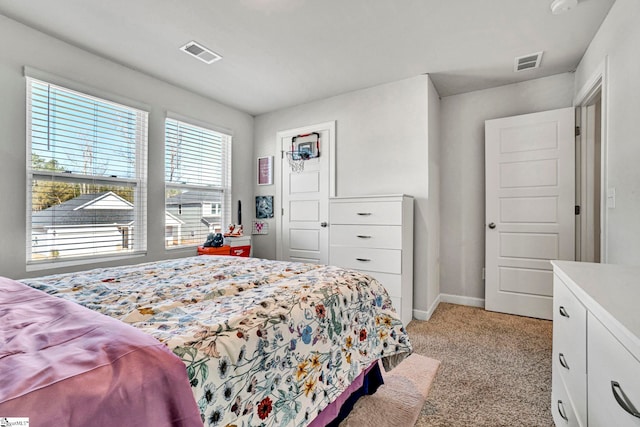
{"x": 378, "y": 213}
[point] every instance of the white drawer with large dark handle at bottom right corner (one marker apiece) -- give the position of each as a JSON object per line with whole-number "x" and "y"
{"x": 610, "y": 363}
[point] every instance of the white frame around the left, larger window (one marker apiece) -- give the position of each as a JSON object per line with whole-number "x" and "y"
{"x": 137, "y": 182}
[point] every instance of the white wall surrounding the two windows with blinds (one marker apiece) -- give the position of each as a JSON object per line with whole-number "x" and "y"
{"x": 20, "y": 46}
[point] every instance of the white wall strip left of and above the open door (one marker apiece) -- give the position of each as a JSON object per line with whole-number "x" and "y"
{"x": 462, "y": 173}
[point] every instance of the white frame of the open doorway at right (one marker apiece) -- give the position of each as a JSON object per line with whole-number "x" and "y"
{"x": 597, "y": 83}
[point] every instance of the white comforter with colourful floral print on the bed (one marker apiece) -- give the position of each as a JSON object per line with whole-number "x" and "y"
{"x": 265, "y": 343}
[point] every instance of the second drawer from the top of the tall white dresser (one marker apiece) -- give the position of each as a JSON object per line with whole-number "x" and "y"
{"x": 367, "y": 236}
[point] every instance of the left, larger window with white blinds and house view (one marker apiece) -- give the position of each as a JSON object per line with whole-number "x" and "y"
{"x": 86, "y": 172}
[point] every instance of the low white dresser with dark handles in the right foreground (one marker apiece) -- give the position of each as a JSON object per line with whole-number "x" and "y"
{"x": 596, "y": 345}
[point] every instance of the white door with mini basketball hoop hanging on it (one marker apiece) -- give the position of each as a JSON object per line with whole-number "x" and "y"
{"x": 304, "y": 212}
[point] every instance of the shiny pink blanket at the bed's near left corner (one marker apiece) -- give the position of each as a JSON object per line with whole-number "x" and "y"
{"x": 64, "y": 365}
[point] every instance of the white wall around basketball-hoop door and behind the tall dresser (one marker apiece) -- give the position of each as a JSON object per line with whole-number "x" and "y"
{"x": 382, "y": 148}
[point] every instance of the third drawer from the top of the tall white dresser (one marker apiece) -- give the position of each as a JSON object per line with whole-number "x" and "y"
{"x": 379, "y": 260}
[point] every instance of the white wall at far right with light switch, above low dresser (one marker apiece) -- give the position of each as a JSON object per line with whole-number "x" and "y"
{"x": 617, "y": 40}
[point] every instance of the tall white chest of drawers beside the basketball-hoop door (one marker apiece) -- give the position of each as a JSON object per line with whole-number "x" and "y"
{"x": 374, "y": 234}
